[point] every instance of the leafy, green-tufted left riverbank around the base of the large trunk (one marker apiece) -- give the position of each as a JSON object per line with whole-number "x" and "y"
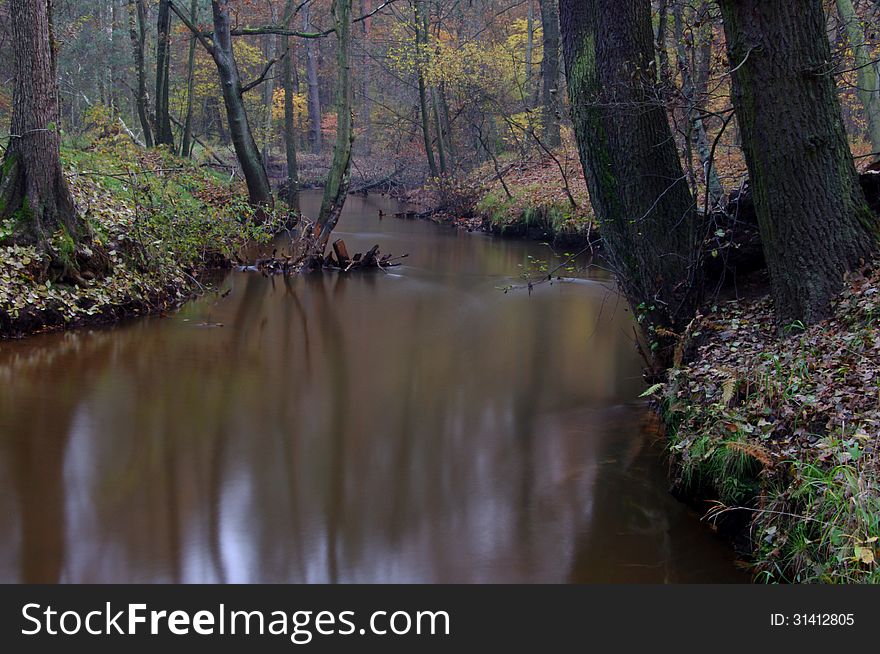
{"x": 165, "y": 223}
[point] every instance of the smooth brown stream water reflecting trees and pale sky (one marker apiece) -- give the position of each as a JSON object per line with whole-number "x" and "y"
{"x": 420, "y": 426}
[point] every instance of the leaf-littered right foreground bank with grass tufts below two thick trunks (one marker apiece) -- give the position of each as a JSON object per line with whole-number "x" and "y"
{"x": 776, "y": 435}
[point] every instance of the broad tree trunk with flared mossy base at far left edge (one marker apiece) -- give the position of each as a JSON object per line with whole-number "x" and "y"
{"x": 33, "y": 191}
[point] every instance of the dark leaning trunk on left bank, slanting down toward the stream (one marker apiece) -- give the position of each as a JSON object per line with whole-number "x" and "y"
{"x": 259, "y": 191}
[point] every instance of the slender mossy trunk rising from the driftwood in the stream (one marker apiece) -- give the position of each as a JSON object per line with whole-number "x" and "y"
{"x": 339, "y": 177}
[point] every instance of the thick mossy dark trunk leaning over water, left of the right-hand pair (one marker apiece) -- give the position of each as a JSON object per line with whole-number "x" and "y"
{"x": 637, "y": 188}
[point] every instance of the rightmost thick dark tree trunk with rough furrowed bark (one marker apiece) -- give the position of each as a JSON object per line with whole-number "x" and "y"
{"x": 814, "y": 221}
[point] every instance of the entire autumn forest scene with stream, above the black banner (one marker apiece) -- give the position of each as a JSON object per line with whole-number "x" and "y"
{"x": 373, "y": 236}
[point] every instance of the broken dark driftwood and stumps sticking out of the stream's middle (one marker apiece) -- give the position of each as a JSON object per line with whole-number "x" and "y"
{"x": 338, "y": 260}
